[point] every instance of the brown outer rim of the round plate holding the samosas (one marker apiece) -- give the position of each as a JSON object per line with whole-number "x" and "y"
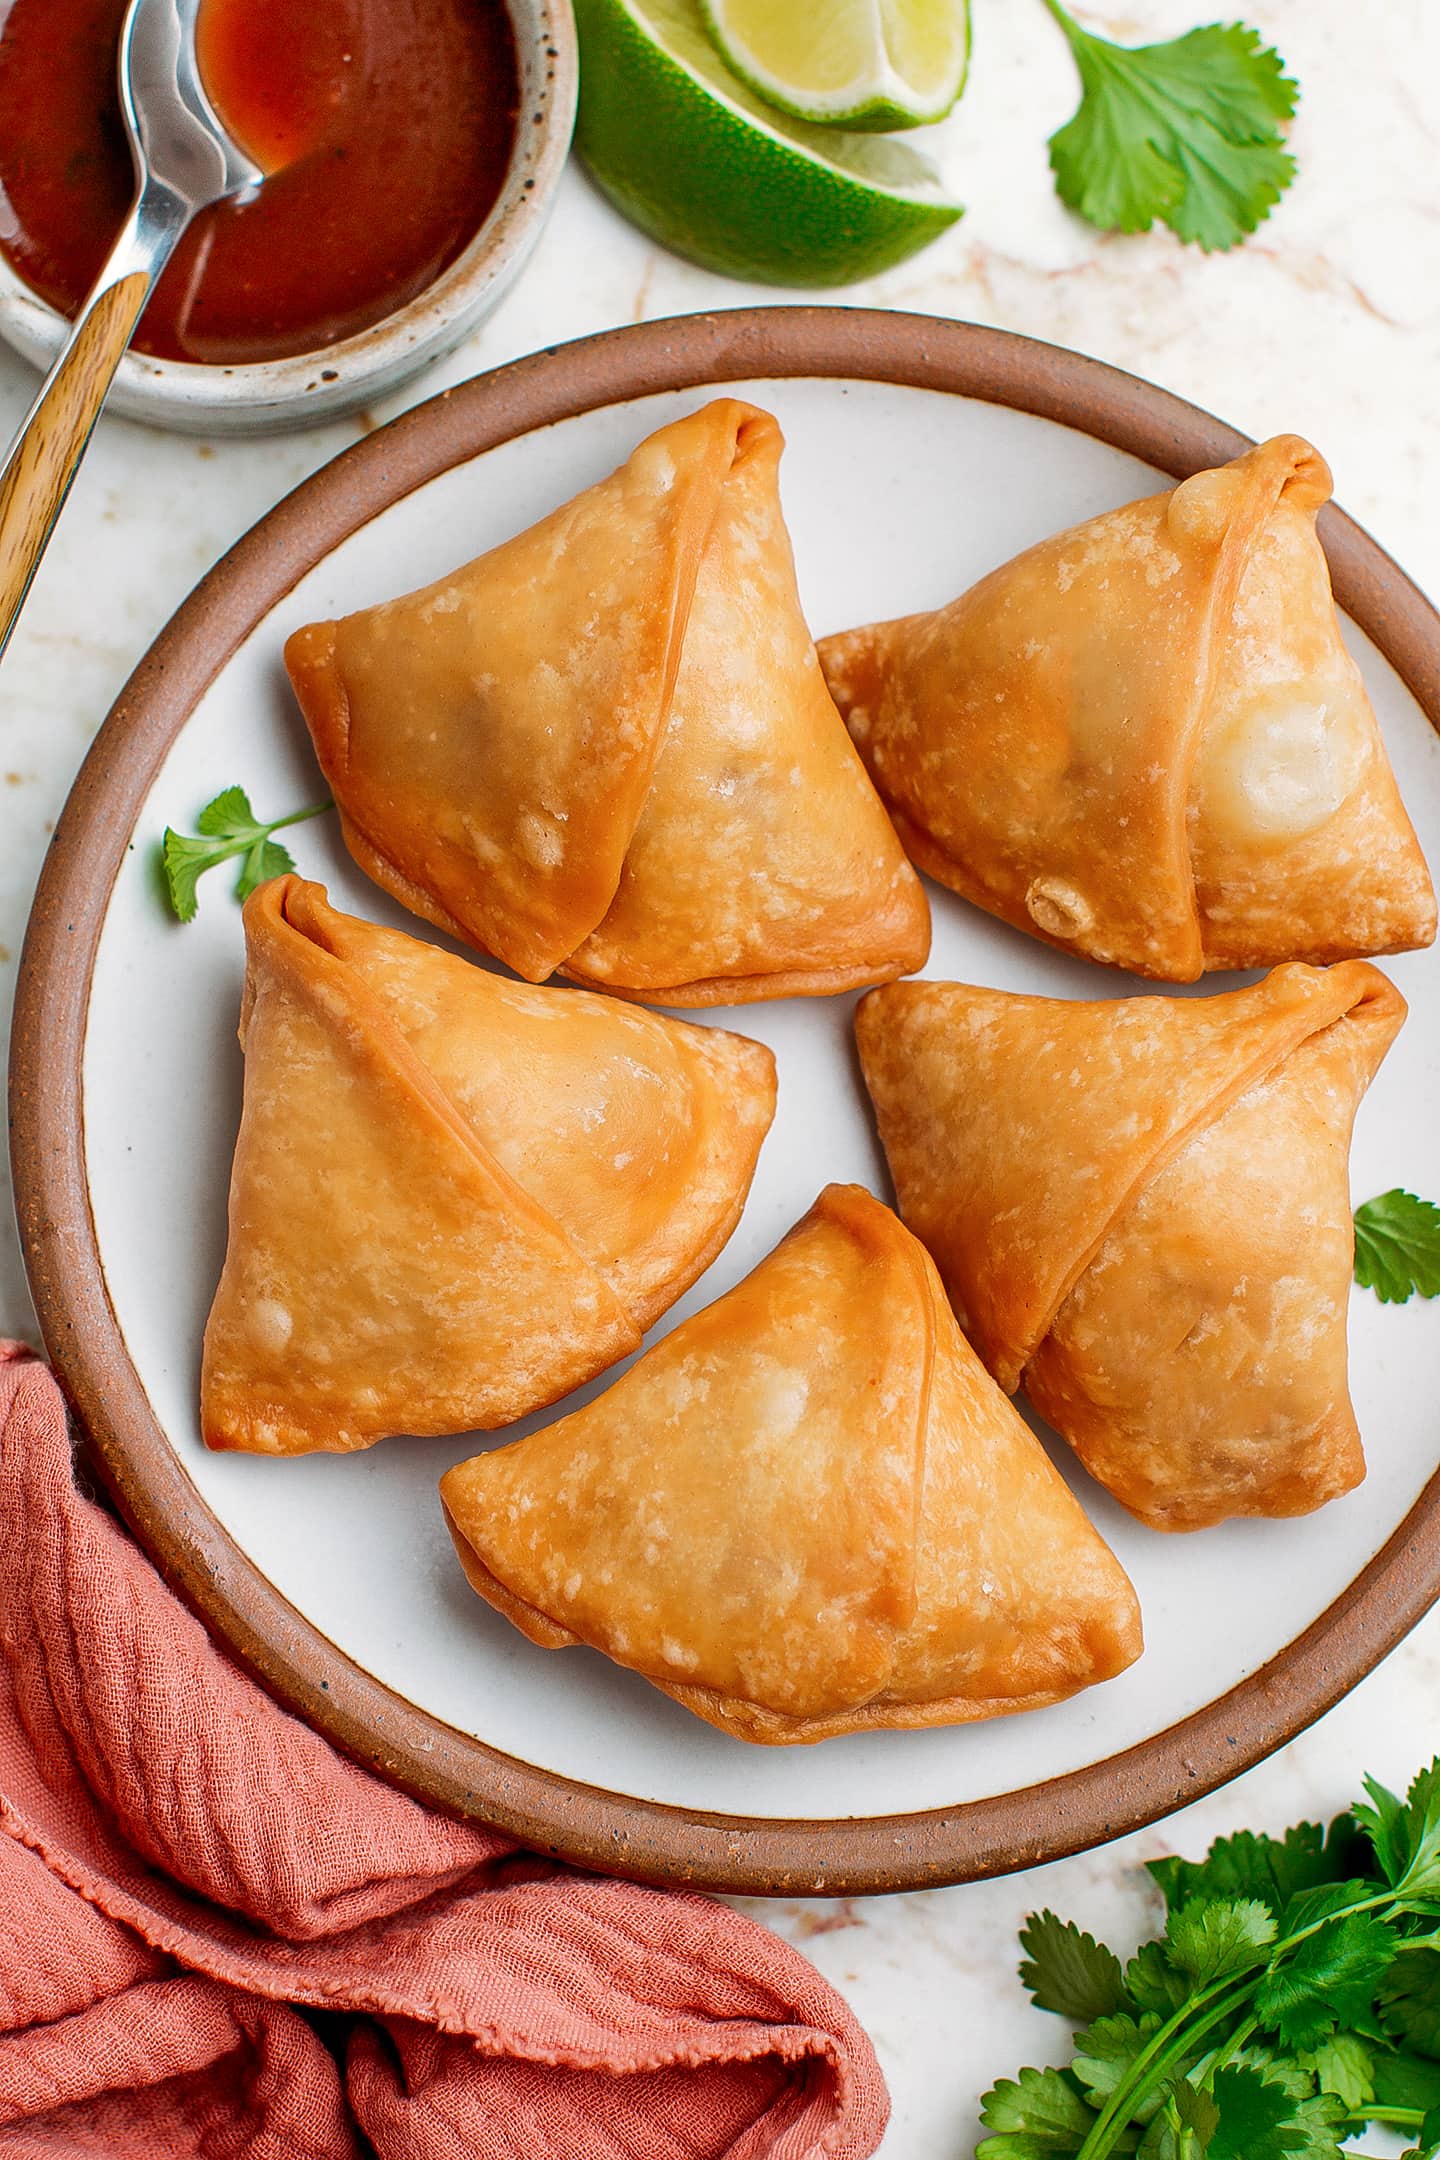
{"x": 441, "y": 1766}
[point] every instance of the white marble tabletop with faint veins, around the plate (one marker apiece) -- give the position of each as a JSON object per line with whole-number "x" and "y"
{"x": 1327, "y": 323}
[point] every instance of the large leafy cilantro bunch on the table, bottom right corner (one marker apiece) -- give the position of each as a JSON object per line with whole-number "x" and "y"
{"x": 1292, "y": 1999}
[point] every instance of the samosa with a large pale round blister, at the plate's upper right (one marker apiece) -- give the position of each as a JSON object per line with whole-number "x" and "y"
{"x": 1145, "y": 740}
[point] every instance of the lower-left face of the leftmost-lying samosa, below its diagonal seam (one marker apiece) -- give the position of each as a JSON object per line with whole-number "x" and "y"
{"x": 383, "y": 1273}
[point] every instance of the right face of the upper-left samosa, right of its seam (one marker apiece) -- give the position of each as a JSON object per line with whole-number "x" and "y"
{"x": 763, "y": 848}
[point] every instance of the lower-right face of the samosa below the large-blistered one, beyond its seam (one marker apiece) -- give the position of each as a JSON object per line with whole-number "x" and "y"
{"x": 1199, "y": 1364}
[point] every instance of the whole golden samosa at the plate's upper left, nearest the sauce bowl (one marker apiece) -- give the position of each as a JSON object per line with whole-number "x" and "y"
{"x": 608, "y": 746}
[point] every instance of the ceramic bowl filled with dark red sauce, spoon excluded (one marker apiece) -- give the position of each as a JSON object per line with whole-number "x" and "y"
{"x": 411, "y": 152}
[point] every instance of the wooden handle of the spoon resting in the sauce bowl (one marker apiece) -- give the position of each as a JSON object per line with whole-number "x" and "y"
{"x": 42, "y": 465}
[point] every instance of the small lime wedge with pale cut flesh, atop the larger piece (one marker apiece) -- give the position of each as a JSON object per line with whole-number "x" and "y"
{"x": 847, "y": 64}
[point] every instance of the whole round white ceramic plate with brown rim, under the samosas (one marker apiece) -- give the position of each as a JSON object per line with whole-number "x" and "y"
{"x": 921, "y": 455}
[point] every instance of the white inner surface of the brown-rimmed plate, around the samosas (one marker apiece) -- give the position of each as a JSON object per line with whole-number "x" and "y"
{"x": 897, "y": 500}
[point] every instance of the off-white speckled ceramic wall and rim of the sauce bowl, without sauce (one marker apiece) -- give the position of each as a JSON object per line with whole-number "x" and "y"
{"x": 273, "y": 396}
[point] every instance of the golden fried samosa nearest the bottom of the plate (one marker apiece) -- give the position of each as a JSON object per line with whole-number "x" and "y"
{"x": 809, "y": 1511}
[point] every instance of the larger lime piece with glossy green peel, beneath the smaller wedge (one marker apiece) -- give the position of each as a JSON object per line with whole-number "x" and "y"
{"x": 698, "y": 161}
